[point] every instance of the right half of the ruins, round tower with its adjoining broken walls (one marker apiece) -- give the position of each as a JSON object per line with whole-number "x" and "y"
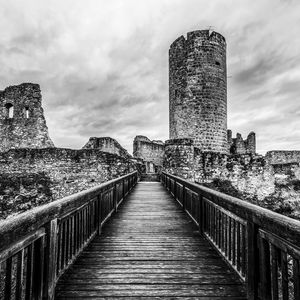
{"x": 201, "y": 148}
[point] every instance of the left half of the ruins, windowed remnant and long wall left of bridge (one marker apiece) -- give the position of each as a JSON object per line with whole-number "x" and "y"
{"x": 32, "y": 170}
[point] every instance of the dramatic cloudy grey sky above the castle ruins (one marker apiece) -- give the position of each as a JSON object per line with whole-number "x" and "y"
{"x": 103, "y": 64}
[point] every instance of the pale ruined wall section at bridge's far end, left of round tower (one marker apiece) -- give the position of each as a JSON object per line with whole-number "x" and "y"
{"x": 148, "y": 151}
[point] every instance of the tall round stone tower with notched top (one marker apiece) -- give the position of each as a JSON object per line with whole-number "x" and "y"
{"x": 198, "y": 90}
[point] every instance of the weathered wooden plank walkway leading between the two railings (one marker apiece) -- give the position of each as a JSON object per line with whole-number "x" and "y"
{"x": 150, "y": 250}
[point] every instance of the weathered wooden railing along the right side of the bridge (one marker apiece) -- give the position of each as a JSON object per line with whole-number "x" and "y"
{"x": 263, "y": 247}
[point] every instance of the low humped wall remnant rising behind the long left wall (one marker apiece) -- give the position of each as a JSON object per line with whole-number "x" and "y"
{"x": 106, "y": 144}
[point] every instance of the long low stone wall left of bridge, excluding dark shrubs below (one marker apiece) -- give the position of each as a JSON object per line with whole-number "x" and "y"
{"x": 68, "y": 171}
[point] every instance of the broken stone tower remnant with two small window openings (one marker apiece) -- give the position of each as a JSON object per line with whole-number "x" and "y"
{"x": 22, "y": 122}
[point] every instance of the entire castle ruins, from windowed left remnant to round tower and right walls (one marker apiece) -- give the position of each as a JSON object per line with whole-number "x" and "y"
{"x": 200, "y": 146}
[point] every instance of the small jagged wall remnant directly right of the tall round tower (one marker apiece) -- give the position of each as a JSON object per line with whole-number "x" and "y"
{"x": 240, "y": 146}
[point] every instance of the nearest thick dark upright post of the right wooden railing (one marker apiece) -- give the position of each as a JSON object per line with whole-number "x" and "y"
{"x": 252, "y": 262}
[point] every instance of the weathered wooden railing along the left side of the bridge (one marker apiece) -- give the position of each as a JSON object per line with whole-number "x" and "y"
{"x": 37, "y": 246}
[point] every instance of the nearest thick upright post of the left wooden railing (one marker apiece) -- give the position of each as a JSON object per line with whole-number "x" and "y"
{"x": 50, "y": 260}
